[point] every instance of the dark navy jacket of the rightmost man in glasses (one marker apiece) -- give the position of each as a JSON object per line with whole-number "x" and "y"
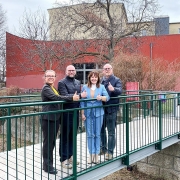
{"x": 116, "y": 83}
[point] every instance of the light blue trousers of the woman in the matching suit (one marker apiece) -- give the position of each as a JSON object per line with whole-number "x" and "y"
{"x": 93, "y": 129}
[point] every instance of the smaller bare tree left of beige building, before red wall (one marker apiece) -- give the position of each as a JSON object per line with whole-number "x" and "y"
{"x": 38, "y": 53}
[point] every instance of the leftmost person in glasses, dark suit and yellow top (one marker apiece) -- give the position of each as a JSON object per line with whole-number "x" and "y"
{"x": 50, "y": 122}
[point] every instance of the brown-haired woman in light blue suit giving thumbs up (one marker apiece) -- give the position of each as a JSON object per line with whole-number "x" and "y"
{"x": 93, "y": 117}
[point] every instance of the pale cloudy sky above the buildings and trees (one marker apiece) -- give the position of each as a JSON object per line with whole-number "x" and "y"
{"x": 15, "y": 9}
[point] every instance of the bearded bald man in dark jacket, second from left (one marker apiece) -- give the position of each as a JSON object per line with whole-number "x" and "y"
{"x": 66, "y": 87}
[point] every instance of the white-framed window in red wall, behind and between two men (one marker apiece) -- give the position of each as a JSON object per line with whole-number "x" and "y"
{"x": 83, "y": 71}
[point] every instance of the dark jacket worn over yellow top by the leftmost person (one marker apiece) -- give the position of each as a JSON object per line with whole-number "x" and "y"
{"x": 47, "y": 94}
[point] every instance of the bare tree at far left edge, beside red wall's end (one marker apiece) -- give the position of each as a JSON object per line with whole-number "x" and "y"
{"x": 3, "y": 29}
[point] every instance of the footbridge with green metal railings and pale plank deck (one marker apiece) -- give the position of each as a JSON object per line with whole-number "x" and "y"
{"x": 146, "y": 124}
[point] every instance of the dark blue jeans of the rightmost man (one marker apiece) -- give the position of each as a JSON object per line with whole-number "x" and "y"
{"x": 110, "y": 123}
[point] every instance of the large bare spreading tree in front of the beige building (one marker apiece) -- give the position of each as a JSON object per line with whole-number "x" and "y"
{"x": 106, "y": 22}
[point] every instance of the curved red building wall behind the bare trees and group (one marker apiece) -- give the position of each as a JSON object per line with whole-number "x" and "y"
{"x": 30, "y": 75}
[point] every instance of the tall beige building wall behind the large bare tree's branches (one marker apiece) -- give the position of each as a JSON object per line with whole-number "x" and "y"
{"x": 85, "y": 21}
